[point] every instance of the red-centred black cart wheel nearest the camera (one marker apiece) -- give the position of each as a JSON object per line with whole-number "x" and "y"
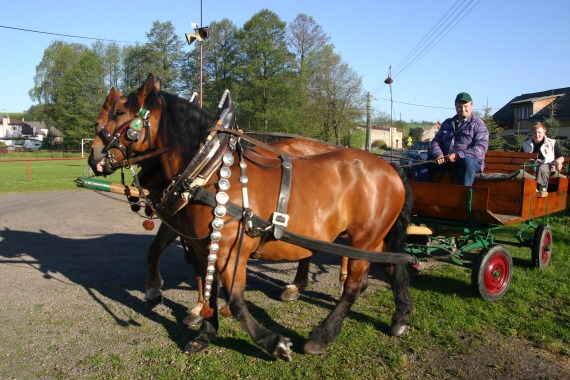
{"x": 492, "y": 273}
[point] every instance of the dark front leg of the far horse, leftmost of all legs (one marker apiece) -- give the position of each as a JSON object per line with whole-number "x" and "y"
{"x": 164, "y": 237}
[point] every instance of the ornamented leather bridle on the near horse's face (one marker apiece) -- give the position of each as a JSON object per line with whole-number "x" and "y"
{"x": 133, "y": 130}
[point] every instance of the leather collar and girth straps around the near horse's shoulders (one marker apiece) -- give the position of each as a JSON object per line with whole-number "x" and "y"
{"x": 215, "y": 154}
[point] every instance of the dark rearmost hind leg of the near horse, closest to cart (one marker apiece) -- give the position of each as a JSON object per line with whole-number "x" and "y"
{"x": 400, "y": 281}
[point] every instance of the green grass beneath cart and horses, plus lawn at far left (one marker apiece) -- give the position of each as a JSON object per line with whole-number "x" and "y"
{"x": 446, "y": 316}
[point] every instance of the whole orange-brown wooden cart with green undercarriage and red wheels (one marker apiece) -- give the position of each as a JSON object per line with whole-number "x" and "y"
{"x": 458, "y": 219}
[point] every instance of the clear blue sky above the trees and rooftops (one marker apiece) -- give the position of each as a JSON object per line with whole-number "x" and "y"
{"x": 493, "y": 49}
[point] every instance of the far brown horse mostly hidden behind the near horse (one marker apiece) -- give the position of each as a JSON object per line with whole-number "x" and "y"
{"x": 152, "y": 178}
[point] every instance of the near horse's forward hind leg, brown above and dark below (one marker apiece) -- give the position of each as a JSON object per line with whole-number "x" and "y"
{"x": 356, "y": 282}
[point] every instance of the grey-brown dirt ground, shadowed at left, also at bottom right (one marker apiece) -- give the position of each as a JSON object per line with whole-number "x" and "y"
{"x": 72, "y": 286}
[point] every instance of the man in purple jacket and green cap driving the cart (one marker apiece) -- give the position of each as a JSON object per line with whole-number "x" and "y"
{"x": 459, "y": 146}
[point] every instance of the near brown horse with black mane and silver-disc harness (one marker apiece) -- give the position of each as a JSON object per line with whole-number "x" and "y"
{"x": 343, "y": 191}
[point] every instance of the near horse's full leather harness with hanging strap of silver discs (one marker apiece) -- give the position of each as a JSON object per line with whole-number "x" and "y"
{"x": 215, "y": 154}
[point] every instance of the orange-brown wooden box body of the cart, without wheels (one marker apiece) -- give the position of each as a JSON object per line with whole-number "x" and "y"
{"x": 504, "y": 194}
